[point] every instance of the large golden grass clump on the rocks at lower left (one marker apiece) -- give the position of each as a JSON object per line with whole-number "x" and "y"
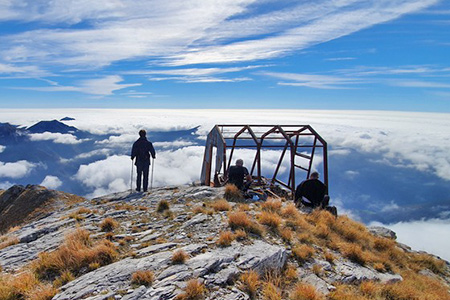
{"x": 75, "y": 255}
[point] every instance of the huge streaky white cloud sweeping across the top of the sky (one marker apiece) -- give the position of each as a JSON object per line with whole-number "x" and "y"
{"x": 186, "y": 32}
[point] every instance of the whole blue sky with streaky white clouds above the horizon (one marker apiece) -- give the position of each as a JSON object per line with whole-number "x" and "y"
{"x": 342, "y": 54}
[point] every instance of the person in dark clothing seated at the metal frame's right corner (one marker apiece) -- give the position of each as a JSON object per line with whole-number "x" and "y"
{"x": 312, "y": 192}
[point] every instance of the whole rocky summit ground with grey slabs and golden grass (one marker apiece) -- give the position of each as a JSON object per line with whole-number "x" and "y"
{"x": 188, "y": 242}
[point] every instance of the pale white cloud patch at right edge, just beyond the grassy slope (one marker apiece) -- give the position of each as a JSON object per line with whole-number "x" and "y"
{"x": 426, "y": 235}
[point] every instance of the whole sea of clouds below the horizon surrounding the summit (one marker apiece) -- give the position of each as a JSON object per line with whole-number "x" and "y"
{"x": 404, "y": 141}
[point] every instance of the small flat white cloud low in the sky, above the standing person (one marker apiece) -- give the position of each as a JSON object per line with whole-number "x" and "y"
{"x": 99, "y": 86}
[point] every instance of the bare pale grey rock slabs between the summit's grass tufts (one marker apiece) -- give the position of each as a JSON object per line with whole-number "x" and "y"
{"x": 147, "y": 240}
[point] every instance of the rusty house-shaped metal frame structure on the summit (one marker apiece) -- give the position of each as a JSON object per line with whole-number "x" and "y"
{"x": 300, "y": 141}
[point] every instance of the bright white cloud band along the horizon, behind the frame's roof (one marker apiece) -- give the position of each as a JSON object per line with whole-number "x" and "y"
{"x": 404, "y": 139}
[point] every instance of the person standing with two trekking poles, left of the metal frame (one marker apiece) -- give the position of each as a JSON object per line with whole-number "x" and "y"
{"x": 141, "y": 150}
